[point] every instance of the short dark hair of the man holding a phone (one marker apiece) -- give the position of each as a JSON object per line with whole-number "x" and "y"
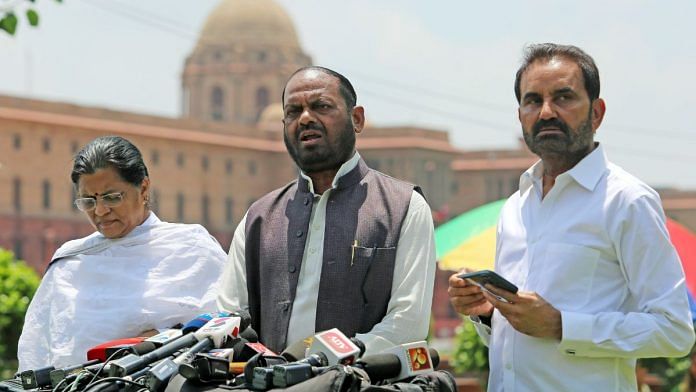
{"x": 547, "y": 51}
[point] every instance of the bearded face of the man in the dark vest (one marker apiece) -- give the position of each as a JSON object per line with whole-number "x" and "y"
{"x": 319, "y": 131}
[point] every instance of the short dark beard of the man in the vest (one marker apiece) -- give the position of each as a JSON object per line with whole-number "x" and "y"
{"x": 327, "y": 157}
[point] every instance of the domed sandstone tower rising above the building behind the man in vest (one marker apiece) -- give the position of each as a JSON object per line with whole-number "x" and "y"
{"x": 245, "y": 53}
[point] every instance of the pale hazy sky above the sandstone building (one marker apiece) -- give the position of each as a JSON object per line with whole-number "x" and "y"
{"x": 444, "y": 64}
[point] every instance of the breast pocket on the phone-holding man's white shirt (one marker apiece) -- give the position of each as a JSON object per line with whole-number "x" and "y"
{"x": 566, "y": 276}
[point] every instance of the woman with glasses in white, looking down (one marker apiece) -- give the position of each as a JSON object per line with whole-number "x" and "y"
{"x": 134, "y": 274}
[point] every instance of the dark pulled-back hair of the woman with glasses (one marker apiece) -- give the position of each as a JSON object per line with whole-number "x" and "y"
{"x": 110, "y": 151}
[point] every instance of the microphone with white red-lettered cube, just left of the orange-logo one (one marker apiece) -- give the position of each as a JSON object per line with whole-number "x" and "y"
{"x": 337, "y": 347}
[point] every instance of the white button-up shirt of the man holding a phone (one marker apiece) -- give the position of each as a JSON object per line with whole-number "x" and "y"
{"x": 597, "y": 249}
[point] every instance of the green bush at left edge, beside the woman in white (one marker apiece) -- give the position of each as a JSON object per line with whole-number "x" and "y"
{"x": 18, "y": 282}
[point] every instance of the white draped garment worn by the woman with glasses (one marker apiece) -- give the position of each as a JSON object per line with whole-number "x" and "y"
{"x": 98, "y": 289}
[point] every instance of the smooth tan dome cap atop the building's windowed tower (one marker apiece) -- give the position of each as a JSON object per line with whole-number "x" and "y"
{"x": 253, "y": 23}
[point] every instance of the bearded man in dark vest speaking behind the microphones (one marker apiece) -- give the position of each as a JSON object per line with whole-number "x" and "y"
{"x": 344, "y": 245}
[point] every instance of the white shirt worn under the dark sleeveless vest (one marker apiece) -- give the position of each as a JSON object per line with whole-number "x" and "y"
{"x": 408, "y": 311}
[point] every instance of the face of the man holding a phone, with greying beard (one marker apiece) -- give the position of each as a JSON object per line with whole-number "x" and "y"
{"x": 555, "y": 111}
